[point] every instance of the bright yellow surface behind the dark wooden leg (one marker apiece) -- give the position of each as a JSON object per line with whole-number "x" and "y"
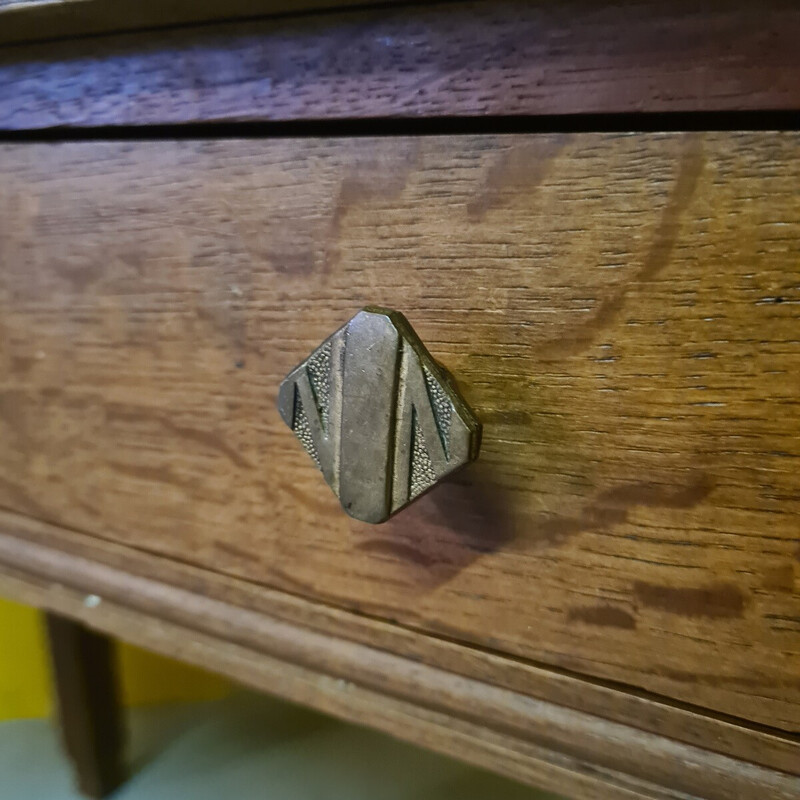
{"x": 145, "y": 677}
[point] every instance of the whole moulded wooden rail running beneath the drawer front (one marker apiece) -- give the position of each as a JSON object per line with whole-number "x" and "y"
{"x": 537, "y": 741}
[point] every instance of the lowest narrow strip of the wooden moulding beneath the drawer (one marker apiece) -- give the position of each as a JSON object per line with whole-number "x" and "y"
{"x": 468, "y": 742}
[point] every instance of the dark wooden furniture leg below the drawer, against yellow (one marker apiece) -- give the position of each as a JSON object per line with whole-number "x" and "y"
{"x": 88, "y": 709}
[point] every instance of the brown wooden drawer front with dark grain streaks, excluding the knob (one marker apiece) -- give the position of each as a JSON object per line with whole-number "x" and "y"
{"x": 620, "y": 310}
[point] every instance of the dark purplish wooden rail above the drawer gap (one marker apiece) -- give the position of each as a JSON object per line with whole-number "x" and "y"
{"x": 462, "y": 59}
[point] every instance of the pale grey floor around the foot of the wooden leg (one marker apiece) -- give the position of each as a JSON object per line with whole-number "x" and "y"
{"x": 250, "y": 746}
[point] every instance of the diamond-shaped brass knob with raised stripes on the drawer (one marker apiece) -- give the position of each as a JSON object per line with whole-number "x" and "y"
{"x": 379, "y": 417}
